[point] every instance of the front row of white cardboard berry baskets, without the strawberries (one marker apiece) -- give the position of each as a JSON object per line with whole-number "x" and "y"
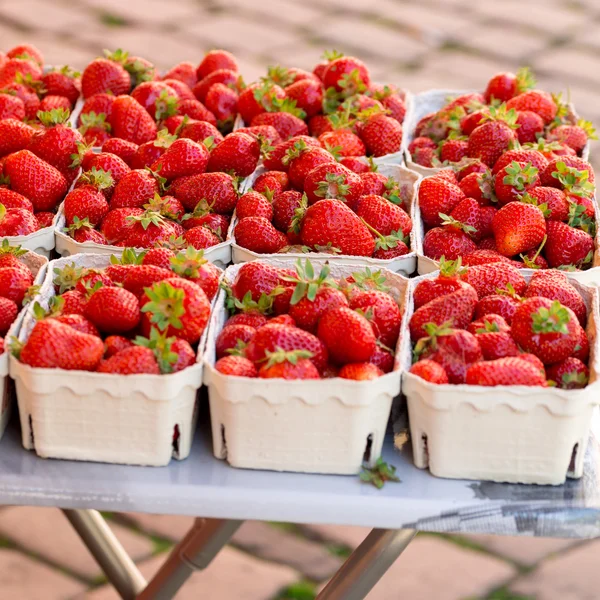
{"x": 512, "y": 433}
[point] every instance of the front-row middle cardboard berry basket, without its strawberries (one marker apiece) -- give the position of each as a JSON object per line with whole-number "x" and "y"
{"x": 318, "y": 426}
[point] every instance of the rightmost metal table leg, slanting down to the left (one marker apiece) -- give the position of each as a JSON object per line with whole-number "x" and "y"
{"x": 367, "y": 564}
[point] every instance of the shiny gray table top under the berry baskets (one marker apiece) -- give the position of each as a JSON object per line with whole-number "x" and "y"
{"x": 207, "y": 487}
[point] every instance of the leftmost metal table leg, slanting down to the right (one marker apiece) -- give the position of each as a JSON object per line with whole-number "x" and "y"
{"x": 108, "y": 552}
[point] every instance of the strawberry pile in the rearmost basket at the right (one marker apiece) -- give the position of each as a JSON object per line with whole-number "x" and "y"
{"x": 509, "y": 114}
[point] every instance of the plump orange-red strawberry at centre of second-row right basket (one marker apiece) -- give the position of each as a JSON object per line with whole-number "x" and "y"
{"x": 518, "y": 227}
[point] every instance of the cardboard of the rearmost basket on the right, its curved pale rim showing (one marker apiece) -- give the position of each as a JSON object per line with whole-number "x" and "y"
{"x": 433, "y": 100}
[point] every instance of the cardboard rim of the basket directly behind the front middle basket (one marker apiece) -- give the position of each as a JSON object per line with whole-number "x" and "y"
{"x": 406, "y": 265}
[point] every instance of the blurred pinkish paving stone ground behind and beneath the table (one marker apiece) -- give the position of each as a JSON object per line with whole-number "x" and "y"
{"x": 418, "y": 46}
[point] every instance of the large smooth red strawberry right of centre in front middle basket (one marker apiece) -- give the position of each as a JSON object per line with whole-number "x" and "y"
{"x": 347, "y": 335}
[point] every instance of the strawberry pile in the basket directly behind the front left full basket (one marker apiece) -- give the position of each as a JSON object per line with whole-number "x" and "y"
{"x": 171, "y": 190}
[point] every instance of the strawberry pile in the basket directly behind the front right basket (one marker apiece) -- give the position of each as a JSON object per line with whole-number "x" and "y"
{"x": 526, "y": 210}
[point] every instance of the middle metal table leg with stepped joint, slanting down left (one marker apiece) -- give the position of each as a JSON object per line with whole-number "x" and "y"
{"x": 196, "y": 551}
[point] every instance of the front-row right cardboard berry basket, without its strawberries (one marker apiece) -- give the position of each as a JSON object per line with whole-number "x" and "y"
{"x": 516, "y": 434}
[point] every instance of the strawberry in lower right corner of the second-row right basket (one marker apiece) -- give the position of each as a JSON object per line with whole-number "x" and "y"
{"x": 567, "y": 246}
